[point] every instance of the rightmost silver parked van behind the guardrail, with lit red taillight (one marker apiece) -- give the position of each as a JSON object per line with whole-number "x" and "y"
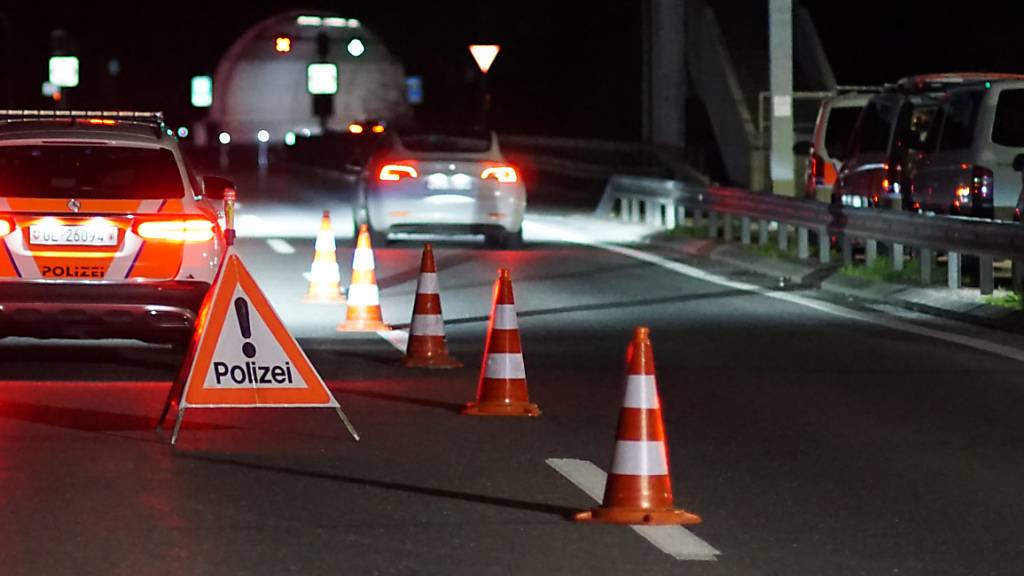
{"x": 980, "y": 132}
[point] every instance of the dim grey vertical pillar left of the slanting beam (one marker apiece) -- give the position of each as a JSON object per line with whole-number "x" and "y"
{"x": 665, "y": 72}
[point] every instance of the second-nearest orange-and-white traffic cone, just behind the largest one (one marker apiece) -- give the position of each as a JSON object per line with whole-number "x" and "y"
{"x": 502, "y": 391}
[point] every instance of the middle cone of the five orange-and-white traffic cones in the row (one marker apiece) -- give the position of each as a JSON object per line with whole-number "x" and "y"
{"x": 428, "y": 348}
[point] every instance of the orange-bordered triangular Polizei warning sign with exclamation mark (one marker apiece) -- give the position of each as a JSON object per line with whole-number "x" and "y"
{"x": 245, "y": 357}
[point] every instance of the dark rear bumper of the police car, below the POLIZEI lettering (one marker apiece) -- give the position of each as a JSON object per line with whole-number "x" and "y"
{"x": 157, "y": 312}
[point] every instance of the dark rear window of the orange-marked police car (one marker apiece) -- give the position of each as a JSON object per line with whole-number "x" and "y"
{"x": 89, "y": 172}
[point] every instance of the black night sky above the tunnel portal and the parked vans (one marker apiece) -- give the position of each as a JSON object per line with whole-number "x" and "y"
{"x": 567, "y": 68}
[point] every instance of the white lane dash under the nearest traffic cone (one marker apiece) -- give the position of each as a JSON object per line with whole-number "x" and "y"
{"x": 676, "y": 542}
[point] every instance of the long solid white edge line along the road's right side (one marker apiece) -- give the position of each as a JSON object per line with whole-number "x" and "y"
{"x": 679, "y": 268}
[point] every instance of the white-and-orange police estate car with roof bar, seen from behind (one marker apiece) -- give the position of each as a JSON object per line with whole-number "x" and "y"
{"x": 107, "y": 231}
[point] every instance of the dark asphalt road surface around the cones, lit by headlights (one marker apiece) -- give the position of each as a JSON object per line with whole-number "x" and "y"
{"x": 810, "y": 441}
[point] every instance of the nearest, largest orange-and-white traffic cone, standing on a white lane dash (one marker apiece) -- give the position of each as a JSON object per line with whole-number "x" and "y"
{"x": 639, "y": 489}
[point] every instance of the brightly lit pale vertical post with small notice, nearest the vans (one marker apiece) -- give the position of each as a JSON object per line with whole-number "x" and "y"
{"x": 781, "y": 71}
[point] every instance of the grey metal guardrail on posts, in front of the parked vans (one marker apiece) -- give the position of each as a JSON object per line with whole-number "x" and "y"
{"x": 665, "y": 203}
